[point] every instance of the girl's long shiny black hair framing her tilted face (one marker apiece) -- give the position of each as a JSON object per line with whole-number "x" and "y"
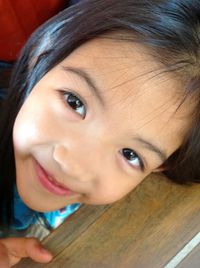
{"x": 169, "y": 28}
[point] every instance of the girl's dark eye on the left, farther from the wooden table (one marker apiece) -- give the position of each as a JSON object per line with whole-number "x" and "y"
{"x": 75, "y": 103}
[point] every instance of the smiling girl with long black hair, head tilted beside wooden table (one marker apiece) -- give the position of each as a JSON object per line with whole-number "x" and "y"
{"x": 102, "y": 95}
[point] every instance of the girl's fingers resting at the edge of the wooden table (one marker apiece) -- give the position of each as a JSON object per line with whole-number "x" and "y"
{"x": 26, "y": 247}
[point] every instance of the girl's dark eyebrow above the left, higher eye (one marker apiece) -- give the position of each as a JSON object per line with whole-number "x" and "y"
{"x": 88, "y": 79}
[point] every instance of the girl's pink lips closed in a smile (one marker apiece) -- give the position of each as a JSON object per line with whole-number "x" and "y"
{"x": 50, "y": 184}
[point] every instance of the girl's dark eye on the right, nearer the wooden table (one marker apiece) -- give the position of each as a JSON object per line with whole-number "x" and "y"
{"x": 132, "y": 158}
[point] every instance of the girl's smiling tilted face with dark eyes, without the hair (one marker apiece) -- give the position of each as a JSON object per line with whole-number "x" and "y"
{"x": 98, "y": 123}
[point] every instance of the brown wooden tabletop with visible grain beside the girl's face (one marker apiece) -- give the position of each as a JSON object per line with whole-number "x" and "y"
{"x": 143, "y": 230}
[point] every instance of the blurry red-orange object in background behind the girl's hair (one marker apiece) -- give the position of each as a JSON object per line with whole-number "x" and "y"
{"x": 19, "y": 18}
